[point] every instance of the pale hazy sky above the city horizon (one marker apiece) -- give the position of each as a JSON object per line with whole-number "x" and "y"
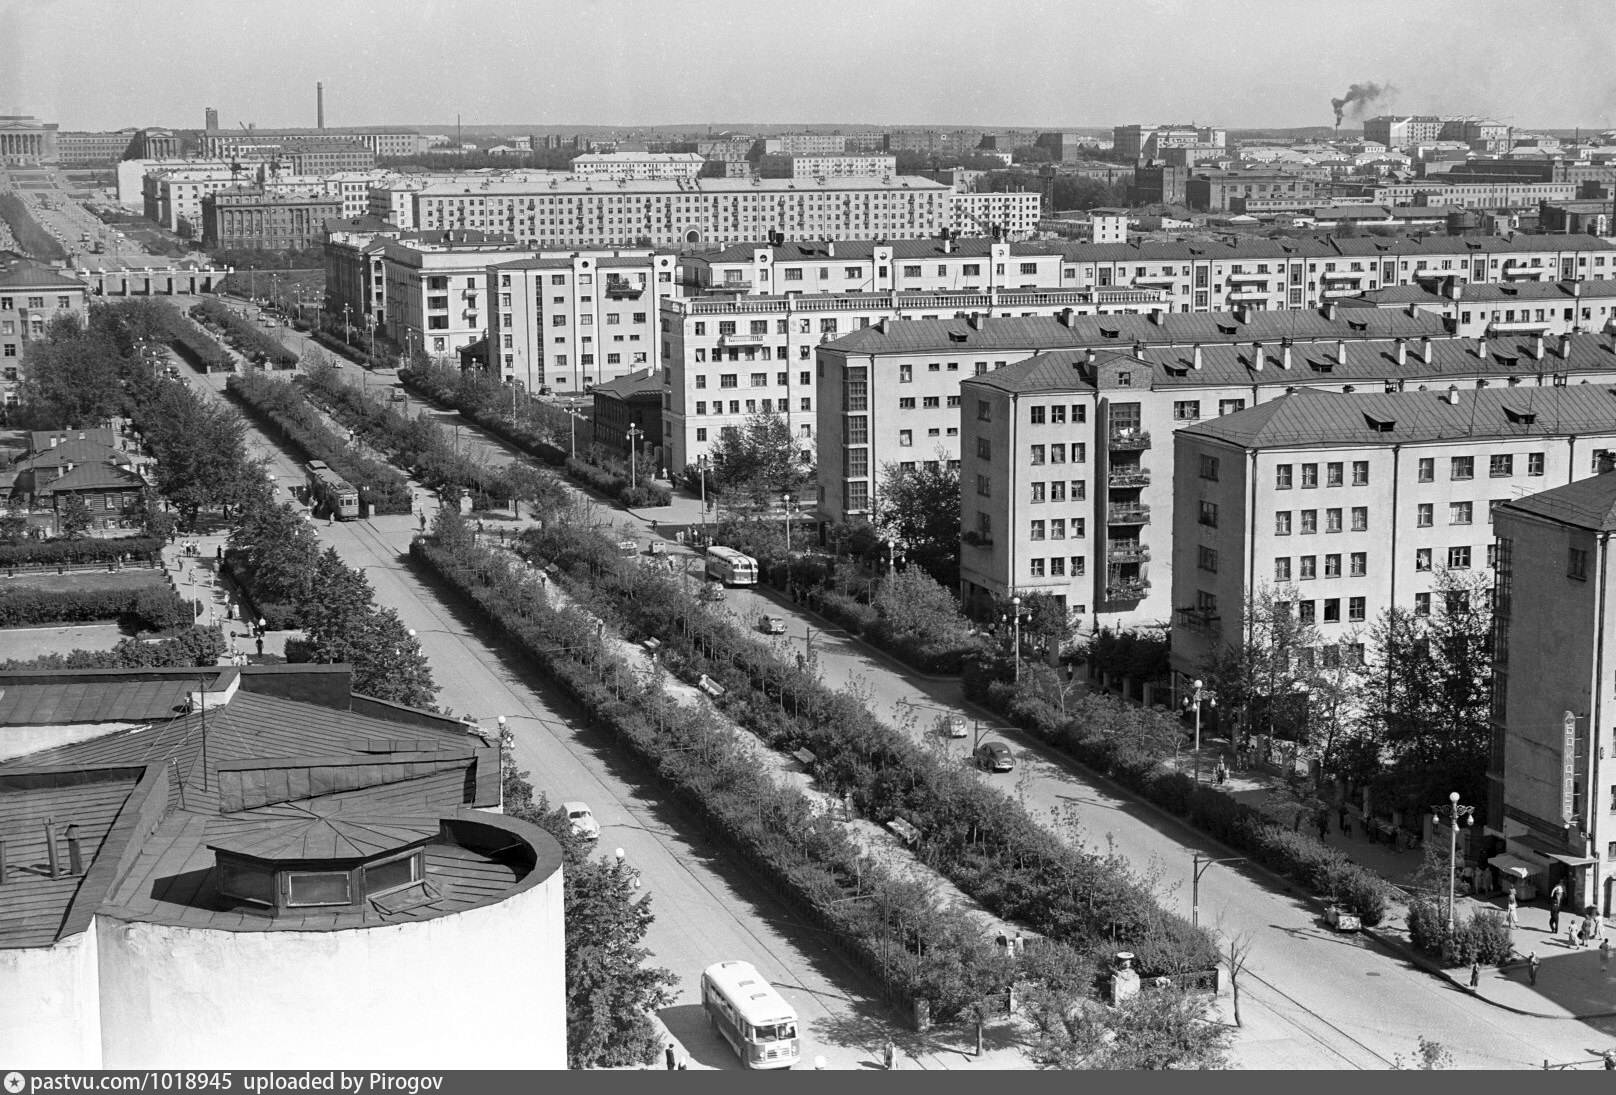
{"x": 109, "y": 64}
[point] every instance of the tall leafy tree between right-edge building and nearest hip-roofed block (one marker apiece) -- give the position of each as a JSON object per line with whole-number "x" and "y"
{"x": 1428, "y": 697}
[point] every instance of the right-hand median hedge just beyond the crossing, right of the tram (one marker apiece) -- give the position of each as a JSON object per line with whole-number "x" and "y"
{"x": 416, "y": 443}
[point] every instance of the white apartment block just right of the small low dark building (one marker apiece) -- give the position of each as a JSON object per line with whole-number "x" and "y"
{"x": 713, "y": 343}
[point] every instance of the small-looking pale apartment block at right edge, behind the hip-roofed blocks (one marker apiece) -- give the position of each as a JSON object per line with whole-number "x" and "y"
{"x": 1517, "y": 308}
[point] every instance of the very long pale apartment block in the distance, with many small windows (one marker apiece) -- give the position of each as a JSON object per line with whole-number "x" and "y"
{"x": 562, "y": 212}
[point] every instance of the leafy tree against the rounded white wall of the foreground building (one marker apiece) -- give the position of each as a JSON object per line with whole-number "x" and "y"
{"x": 610, "y": 989}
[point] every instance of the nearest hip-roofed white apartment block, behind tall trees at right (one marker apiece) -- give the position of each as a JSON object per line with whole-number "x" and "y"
{"x": 1353, "y": 505}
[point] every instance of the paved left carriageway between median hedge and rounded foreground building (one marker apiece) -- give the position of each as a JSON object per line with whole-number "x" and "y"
{"x": 707, "y": 910}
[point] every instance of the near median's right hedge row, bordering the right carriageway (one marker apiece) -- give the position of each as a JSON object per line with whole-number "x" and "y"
{"x": 978, "y": 837}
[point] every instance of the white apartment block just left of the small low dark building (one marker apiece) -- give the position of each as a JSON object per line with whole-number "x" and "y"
{"x": 576, "y": 321}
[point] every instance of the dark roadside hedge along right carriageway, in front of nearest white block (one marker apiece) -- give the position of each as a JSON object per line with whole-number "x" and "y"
{"x": 1290, "y": 854}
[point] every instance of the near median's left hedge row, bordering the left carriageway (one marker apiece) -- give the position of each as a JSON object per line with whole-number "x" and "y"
{"x": 893, "y": 931}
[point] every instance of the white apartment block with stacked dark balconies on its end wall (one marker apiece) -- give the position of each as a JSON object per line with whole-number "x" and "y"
{"x": 1137, "y": 398}
